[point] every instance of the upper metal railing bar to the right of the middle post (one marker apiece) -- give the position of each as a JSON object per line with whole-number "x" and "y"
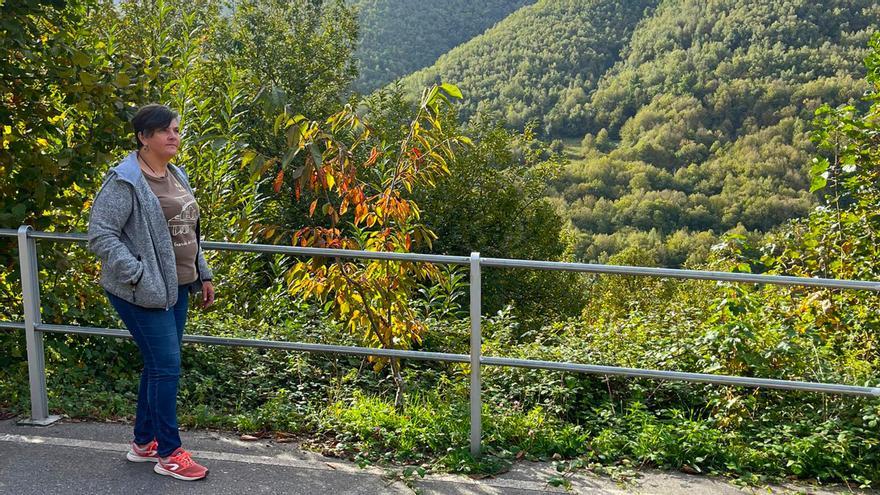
{"x": 680, "y": 273}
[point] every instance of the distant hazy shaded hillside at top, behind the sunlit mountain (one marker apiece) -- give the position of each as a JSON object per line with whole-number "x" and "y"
{"x": 402, "y": 36}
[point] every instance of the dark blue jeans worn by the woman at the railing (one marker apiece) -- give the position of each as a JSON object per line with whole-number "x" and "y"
{"x": 158, "y": 334}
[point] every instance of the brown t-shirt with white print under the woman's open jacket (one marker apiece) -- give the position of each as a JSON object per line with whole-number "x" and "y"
{"x": 181, "y": 213}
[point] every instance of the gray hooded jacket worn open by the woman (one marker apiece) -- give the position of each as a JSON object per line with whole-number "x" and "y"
{"x": 129, "y": 234}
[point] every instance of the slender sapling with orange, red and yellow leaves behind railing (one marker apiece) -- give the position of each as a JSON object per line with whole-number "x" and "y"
{"x": 366, "y": 203}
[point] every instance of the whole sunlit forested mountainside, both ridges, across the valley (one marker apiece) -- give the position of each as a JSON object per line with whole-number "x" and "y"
{"x": 683, "y": 121}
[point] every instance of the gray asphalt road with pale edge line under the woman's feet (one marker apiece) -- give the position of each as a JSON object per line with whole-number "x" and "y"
{"x": 87, "y": 458}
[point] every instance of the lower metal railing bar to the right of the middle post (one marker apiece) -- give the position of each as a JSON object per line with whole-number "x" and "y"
{"x": 683, "y": 376}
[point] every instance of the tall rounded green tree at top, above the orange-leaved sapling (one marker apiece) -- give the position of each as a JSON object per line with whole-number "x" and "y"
{"x": 297, "y": 55}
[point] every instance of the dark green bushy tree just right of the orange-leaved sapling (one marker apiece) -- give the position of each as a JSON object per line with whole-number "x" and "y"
{"x": 493, "y": 201}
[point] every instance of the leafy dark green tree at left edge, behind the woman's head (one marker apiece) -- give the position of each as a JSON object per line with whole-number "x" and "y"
{"x": 67, "y": 95}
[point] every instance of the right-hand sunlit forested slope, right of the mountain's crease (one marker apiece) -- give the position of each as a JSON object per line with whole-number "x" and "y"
{"x": 708, "y": 117}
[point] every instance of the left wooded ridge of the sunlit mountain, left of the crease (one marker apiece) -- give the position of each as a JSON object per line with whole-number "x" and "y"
{"x": 540, "y": 61}
